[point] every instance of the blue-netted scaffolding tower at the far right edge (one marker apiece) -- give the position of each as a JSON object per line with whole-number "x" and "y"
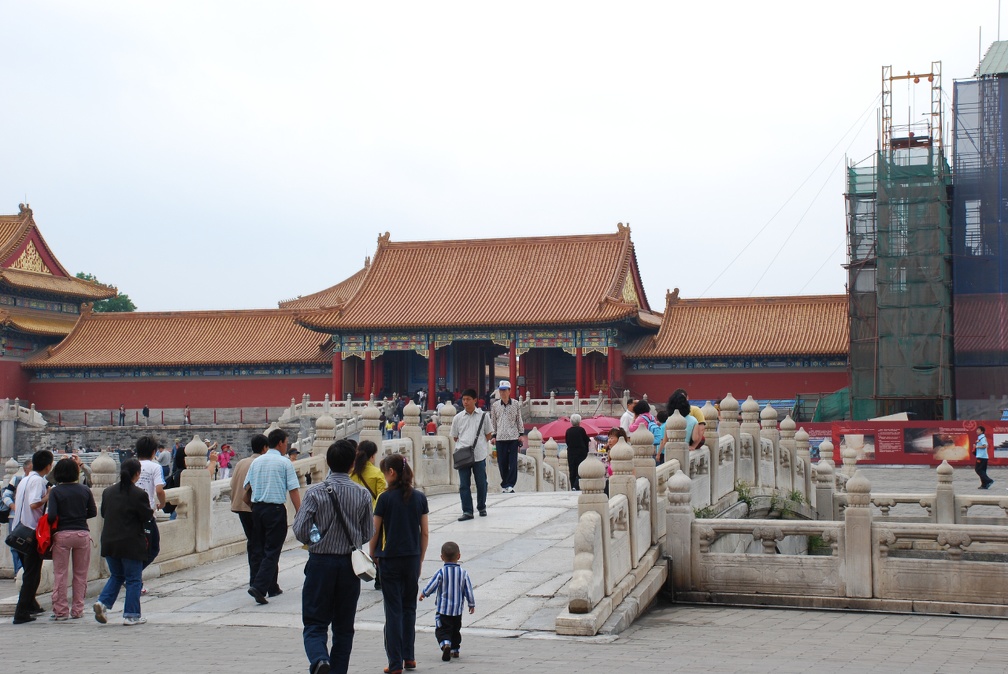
{"x": 980, "y": 236}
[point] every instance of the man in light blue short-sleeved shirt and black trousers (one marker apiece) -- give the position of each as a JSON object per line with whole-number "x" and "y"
{"x": 271, "y": 479}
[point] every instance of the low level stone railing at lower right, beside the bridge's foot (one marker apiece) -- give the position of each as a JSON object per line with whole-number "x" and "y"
{"x": 857, "y": 562}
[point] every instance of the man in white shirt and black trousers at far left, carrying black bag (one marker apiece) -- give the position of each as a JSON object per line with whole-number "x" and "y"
{"x": 33, "y": 495}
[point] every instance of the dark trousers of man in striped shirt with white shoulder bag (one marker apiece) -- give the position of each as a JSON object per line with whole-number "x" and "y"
{"x": 330, "y": 598}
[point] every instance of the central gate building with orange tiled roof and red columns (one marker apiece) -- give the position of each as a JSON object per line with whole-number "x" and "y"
{"x": 436, "y": 314}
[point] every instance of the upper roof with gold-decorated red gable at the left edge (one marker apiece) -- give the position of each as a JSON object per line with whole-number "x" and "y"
{"x": 28, "y": 264}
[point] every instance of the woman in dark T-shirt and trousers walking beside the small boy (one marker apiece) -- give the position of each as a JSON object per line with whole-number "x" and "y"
{"x": 402, "y": 513}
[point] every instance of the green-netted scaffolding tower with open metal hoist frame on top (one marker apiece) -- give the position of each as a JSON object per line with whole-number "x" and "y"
{"x": 900, "y": 272}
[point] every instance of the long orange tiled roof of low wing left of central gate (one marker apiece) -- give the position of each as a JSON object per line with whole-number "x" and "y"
{"x": 180, "y": 339}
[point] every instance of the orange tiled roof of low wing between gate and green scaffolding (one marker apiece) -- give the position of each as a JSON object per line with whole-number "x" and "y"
{"x": 733, "y": 327}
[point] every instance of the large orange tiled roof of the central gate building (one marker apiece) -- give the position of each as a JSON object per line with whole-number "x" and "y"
{"x": 562, "y": 281}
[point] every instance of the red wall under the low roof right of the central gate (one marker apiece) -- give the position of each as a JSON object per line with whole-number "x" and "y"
{"x": 740, "y": 383}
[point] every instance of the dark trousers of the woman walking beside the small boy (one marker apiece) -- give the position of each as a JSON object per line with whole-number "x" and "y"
{"x": 400, "y": 587}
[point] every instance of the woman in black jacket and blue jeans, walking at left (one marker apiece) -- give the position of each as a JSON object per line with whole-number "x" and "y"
{"x": 127, "y": 509}
